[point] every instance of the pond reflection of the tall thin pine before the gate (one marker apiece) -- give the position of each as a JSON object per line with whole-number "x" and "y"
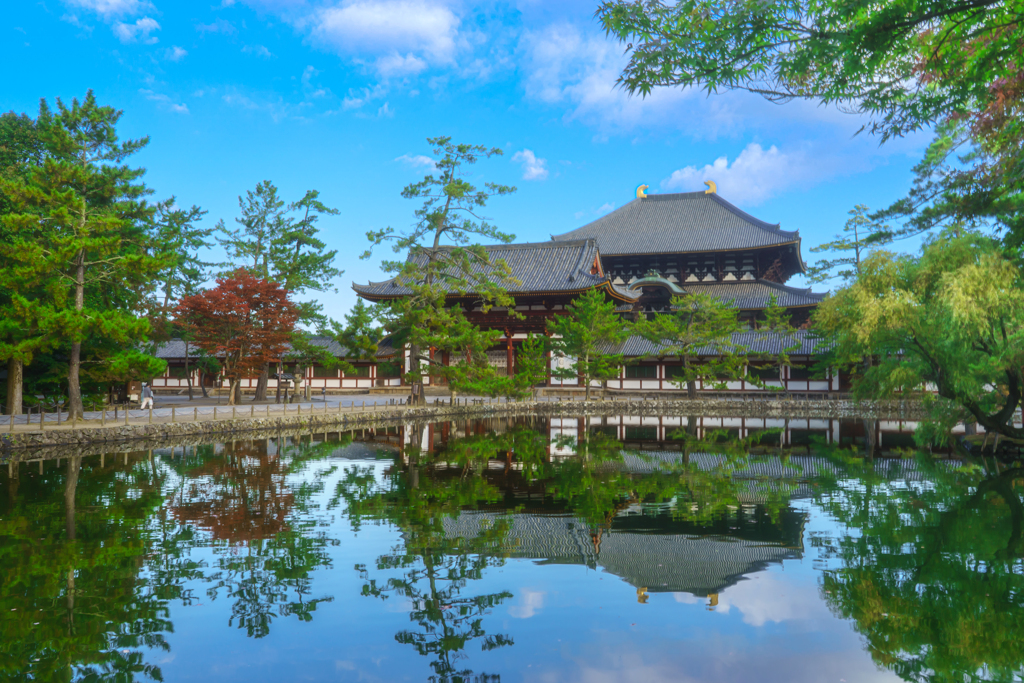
{"x": 435, "y": 571}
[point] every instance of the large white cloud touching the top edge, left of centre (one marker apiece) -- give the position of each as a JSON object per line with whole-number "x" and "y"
{"x": 422, "y": 30}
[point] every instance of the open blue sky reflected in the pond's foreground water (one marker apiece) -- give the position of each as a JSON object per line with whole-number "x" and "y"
{"x": 569, "y": 622}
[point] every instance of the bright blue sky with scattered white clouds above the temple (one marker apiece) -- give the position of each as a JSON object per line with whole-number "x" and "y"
{"x": 340, "y": 96}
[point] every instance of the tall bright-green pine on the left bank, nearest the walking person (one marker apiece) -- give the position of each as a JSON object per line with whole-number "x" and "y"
{"x": 81, "y": 235}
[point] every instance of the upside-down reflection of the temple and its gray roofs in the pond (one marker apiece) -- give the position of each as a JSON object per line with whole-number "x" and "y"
{"x": 652, "y": 546}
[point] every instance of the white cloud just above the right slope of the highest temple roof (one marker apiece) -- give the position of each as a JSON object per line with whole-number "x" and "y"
{"x": 757, "y": 175}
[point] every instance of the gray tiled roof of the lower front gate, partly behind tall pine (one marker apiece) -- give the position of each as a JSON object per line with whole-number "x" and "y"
{"x": 543, "y": 267}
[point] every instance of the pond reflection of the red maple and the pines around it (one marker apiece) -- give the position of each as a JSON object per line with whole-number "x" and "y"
{"x": 260, "y": 525}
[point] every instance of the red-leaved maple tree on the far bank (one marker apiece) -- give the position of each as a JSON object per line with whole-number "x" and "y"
{"x": 244, "y": 322}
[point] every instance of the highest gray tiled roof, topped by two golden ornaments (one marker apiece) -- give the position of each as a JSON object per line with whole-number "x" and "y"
{"x": 680, "y": 224}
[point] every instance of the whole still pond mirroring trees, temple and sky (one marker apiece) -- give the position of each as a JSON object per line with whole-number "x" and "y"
{"x": 515, "y": 551}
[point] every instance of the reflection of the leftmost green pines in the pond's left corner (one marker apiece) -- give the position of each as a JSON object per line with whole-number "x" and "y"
{"x": 77, "y": 603}
